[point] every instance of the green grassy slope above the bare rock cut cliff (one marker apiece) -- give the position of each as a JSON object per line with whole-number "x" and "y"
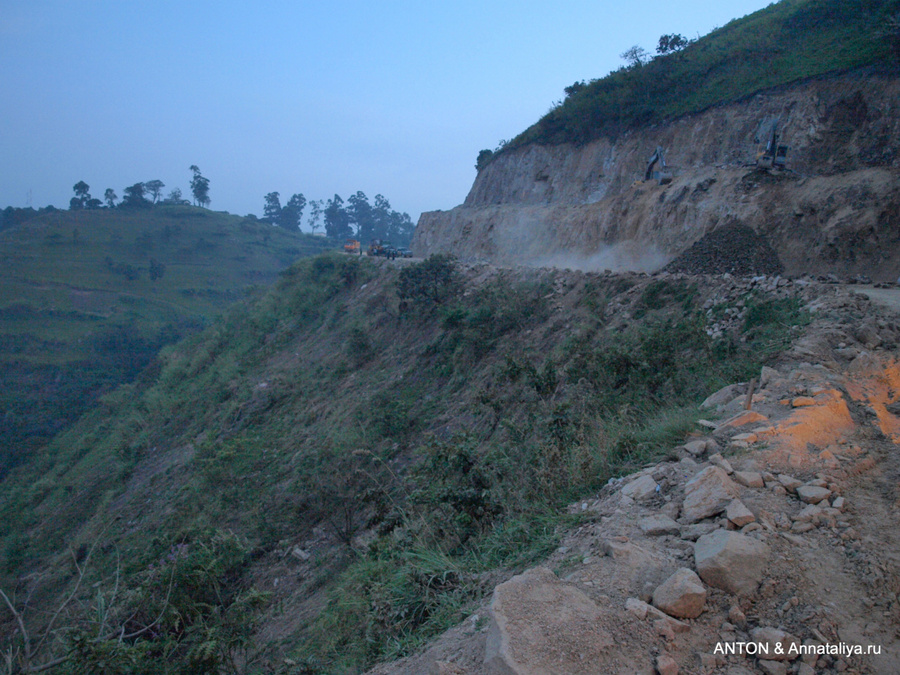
{"x": 785, "y": 42}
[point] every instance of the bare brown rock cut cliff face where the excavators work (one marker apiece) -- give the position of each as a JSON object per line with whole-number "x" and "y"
{"x": 836, "y": 210}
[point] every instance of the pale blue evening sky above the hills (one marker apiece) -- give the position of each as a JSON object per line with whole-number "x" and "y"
{"x": 390, "y": 97}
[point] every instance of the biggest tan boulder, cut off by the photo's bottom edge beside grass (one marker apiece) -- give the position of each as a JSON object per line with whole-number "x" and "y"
{"x": 542, "y": 626}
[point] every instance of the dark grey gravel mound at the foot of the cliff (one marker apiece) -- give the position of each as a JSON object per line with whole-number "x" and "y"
{"x": 733, "y": 248}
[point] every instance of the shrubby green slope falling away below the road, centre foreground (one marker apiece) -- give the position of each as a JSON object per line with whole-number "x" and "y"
{"x": 334, "y": 471}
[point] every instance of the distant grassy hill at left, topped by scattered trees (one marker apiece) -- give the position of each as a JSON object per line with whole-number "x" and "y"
{"x": 88, "y": 297}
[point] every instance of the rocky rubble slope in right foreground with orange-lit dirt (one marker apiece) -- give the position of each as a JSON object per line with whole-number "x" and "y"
{"x": 773, "y": 530}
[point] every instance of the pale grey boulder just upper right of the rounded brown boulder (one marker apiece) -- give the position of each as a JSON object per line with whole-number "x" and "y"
{"x": 730, "y": 561}
